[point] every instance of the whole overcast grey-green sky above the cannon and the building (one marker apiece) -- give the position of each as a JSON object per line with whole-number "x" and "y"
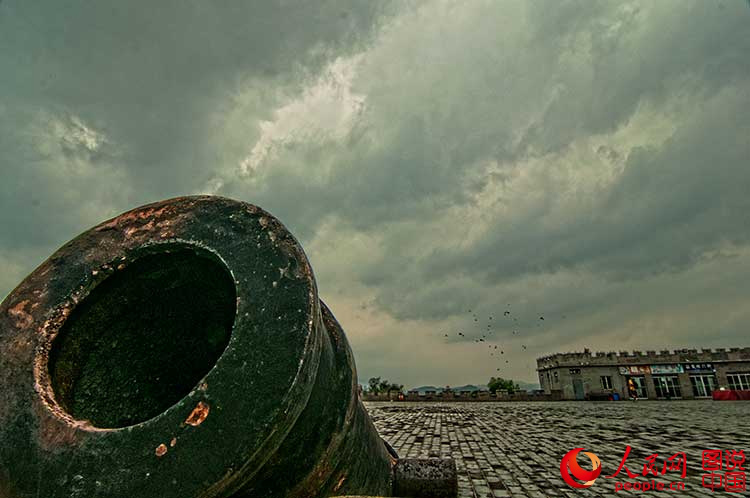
{"x": 585, "y": 162}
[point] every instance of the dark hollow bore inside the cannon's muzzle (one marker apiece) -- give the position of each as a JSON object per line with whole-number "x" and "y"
{"x": 143, "y": 338}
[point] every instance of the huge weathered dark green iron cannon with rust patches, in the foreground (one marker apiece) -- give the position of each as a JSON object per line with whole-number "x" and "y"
{"x": 181, "y": 350}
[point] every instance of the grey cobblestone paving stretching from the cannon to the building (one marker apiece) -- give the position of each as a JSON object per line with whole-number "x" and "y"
{"x": 514, "y": 449}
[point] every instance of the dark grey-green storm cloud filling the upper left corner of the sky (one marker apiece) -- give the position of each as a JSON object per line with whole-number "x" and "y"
{"x": 149, "y": 77}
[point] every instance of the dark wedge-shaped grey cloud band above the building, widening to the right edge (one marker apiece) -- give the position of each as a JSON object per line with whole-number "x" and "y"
{"x": 670, "y": 206}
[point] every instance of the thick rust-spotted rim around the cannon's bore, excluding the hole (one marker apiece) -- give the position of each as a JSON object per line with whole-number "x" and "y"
{"x": 34, "y": 425}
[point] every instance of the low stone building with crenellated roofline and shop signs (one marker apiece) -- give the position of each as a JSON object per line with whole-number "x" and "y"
{"x": 679, "y": 374}
